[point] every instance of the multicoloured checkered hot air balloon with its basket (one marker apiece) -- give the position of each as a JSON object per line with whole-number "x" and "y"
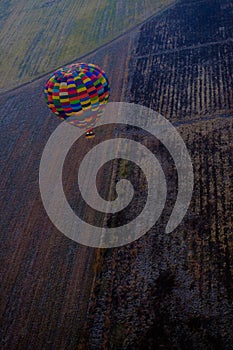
{"x": 78, "y": 94}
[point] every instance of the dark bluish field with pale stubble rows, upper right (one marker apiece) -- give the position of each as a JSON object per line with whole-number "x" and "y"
{"x": 186, "y": 75}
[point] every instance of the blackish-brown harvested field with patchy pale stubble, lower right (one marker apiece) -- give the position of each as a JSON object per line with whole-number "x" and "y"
{"x": 175, "y": 290}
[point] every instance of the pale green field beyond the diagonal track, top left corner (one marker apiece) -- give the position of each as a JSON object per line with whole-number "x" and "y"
{"x": 37, "y": 36}
